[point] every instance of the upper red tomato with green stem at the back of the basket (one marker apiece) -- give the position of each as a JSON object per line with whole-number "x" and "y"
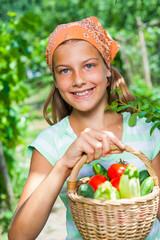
{"x": 116, "y": 170}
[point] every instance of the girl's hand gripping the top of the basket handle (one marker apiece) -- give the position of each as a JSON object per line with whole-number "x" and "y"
{"x": 94, "y": 143}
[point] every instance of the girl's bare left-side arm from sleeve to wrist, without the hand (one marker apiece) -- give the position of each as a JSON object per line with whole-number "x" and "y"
{"x": 39, "y": 194}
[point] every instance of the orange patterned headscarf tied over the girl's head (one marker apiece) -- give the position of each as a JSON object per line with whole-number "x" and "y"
{"x": 88, "y": 29}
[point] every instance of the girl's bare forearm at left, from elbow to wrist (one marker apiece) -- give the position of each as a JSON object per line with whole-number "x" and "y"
{"x": 31, "y": 217}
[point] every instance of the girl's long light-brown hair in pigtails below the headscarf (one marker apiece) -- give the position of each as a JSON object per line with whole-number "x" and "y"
{"x": 61, "y": 108}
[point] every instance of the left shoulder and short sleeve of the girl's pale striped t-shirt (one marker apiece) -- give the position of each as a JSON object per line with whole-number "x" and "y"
{"x": 53, "y": 141}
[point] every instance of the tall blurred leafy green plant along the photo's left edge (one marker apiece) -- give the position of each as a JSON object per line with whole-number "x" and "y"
{"x": 16, "y": 52}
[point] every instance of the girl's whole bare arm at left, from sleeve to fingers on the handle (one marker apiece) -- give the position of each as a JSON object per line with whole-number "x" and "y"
{"x": 45, "y": 182}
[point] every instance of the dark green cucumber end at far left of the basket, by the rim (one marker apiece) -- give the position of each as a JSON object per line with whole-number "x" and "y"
{"x": 86, "y": 190}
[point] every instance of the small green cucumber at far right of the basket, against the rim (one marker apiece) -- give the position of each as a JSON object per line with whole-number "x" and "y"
{"x": 147, "y": 186}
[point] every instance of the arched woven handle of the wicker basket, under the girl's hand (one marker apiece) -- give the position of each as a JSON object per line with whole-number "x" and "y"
{"x": 72, "y": 182}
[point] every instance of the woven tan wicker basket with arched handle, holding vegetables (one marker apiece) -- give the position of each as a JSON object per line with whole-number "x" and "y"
{"x": 130, "y": 219}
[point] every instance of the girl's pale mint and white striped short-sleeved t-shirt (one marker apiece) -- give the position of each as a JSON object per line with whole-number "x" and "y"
{"x": 53, "y": 142}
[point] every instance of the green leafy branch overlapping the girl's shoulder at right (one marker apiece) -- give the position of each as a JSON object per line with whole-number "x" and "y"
{"x": 146, "y": 104}
